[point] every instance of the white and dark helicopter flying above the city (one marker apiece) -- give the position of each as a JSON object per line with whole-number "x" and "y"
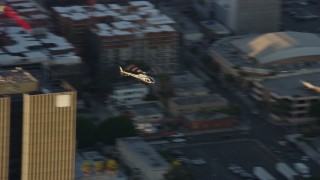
{"x": 135, "y": 72}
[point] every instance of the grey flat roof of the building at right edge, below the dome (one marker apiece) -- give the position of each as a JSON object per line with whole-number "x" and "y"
{"x": 292, "y": 85}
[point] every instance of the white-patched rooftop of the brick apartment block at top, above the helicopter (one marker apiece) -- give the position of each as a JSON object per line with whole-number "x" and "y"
{"x": 139, "y": 16}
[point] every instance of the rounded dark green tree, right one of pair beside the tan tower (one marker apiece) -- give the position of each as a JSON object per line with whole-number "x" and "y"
{"x": 116, "y": 127}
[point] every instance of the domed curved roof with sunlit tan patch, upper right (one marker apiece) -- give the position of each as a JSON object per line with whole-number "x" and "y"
{"x": 273, "y": 47}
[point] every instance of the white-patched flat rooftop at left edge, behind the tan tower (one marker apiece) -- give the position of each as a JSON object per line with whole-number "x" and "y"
{"x": 25, "y": 47}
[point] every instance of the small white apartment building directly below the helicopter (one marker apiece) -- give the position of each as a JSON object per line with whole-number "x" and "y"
{"x": 126, "y": 94}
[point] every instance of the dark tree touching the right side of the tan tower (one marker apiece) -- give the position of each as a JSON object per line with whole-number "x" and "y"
{"x": 85, "y": 133}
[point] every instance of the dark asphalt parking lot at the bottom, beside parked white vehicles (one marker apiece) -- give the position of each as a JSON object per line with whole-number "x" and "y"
{"x": 219, "y": 156}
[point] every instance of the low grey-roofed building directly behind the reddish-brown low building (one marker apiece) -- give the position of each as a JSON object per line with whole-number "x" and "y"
{"x": 187, "y": 105}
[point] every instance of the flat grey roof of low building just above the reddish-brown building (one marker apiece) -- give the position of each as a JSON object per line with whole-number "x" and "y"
{"x": 198, "y": 99}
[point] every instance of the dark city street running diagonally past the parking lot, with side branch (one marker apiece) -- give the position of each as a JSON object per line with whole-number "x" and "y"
{"x": 259, "y": 127}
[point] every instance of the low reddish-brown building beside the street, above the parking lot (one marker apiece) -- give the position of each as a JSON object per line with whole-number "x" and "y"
{"x": 208, "y": 121}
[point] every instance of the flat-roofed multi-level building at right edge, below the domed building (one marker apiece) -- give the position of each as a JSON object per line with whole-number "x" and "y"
{"x": 294, "y": 92}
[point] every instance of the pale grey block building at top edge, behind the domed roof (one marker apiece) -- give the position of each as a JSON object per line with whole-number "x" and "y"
{"x": 249, "y": 16}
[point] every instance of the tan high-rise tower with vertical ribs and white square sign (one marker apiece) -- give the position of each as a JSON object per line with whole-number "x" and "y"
{"x": 37, "y": 127}
